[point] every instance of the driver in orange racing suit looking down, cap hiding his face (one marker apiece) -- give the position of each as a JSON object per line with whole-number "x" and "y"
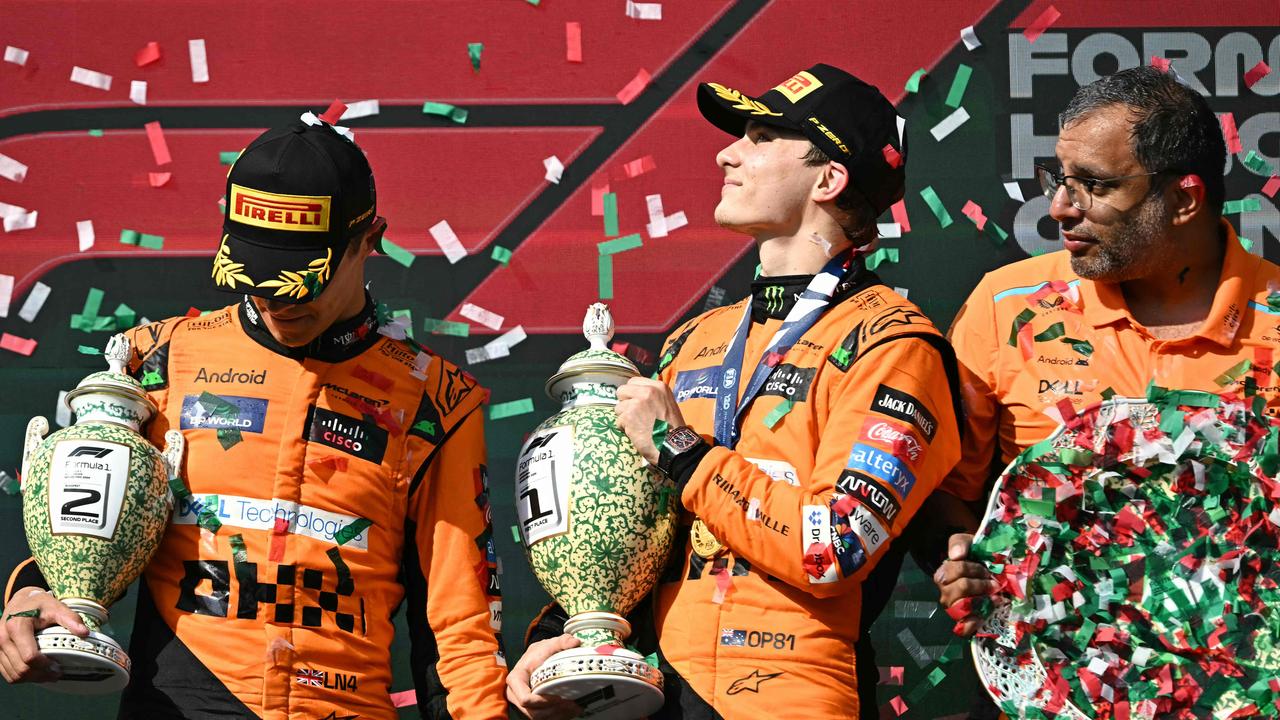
{"x": 332, "y": 475}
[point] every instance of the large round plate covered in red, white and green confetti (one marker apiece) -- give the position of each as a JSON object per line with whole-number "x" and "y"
{"x": 1137, "y": 558}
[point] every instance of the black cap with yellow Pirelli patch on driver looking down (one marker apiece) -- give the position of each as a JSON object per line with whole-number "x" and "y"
{"x": 295, "y": 198}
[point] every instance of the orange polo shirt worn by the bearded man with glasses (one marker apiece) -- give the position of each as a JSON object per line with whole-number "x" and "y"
{"x": 1035, "y": 338}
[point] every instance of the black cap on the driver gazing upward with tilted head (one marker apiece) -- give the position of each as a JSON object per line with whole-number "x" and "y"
{"x": 849, "y": 120}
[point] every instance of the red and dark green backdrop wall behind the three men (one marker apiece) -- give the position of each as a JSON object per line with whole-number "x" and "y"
{"x": 623, "y": 119}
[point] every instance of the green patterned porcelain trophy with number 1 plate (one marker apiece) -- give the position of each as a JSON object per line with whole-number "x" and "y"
{"x": 597, "y": 522}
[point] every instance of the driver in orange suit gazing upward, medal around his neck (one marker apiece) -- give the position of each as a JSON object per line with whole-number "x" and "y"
{"x": 808, "y": 422}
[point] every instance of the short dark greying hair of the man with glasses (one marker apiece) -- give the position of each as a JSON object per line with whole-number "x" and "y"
{"x": 1174, "y": 130}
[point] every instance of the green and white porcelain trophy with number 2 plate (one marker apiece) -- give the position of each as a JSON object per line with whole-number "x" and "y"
{"x": 95, "y": 503}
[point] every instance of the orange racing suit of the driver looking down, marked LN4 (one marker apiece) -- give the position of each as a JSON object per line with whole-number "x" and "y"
{"x": 328, "y": 487}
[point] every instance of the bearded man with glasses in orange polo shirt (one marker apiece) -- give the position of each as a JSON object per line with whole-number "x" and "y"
{"x": 1153, "y": 286}
